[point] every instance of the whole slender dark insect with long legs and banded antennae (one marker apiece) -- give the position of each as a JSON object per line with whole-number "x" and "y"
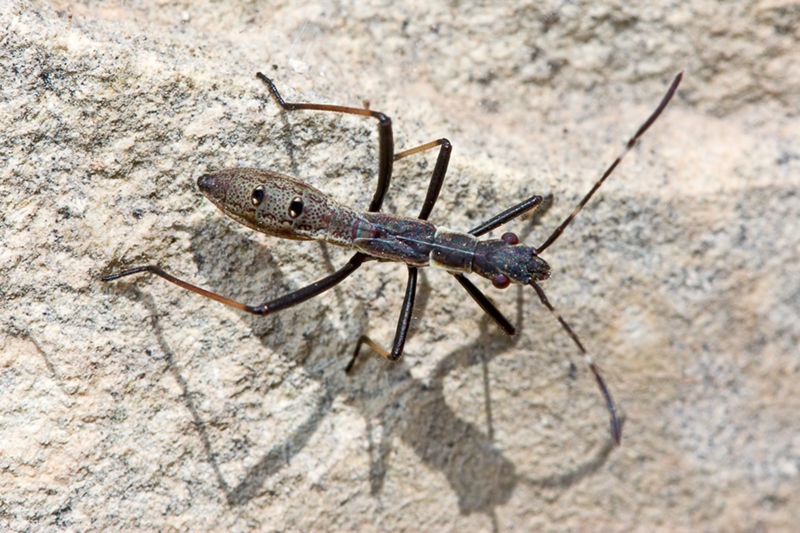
{"x": 280, "y": 206}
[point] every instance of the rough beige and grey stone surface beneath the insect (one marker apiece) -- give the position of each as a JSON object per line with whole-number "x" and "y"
{"x": 138, "y": 405}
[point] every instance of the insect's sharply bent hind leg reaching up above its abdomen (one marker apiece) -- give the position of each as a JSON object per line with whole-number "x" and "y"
{"x": 385, "y": 136}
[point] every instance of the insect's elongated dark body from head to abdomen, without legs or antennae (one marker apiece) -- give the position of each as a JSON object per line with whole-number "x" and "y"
{"x": 283, "y": 207}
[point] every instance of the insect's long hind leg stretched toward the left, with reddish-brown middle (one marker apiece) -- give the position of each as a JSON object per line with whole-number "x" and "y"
{"x": 288, "y": 300}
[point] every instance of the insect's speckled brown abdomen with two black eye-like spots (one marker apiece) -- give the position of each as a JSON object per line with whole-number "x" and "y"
{"x": 269, "y": 202}
